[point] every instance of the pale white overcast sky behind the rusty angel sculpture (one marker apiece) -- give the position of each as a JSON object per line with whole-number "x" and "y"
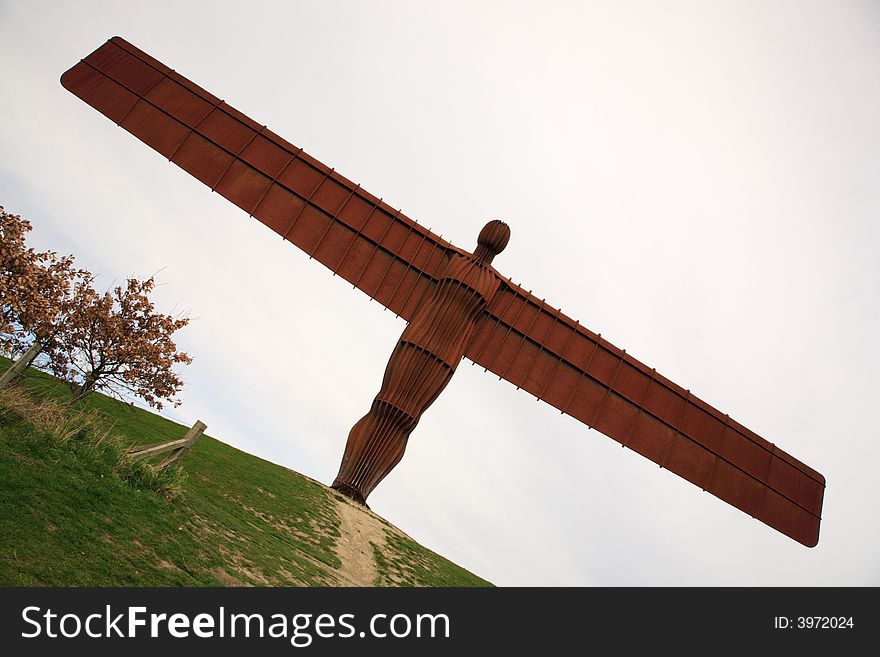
{"x": 698, "y": 181}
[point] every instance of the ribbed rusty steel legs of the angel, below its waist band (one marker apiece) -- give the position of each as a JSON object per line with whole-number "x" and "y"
{"x": 413, "y": 379}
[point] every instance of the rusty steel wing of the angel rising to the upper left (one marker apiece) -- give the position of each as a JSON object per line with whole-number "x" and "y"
{"x": 376, "y": 248}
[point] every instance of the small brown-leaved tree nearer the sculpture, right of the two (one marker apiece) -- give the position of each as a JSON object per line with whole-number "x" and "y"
{"x": 118, "y": 343}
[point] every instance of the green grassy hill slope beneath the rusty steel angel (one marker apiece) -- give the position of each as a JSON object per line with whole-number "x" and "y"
{"x": 75, "y": 511}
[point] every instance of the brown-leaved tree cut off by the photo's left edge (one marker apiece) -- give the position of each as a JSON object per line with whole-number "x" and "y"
{"x": 35, "y": 290}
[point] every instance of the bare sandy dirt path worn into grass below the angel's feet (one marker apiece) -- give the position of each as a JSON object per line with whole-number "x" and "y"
{"x": 357, "y": 528}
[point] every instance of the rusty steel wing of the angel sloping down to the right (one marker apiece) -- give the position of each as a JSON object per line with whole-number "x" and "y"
{"x": 540, "y": 350}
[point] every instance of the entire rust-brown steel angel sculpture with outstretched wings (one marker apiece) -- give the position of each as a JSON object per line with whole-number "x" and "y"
{"x": 455, "y": 303}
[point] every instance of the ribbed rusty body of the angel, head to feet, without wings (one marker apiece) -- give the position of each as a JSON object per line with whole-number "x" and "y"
{"x": 421, "y": 365}
